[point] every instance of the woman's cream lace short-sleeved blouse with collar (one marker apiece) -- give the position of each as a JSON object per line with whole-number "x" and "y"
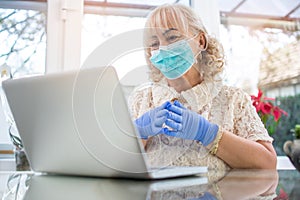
{"x": 229, "y": 107}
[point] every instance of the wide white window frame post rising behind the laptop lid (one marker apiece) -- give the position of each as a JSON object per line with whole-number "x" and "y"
{"x": 64, "y": 35}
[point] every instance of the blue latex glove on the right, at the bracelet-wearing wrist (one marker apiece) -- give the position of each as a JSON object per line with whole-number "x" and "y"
{"x": 190, "y": 125}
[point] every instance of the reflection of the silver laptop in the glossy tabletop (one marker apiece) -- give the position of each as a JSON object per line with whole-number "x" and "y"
{"x": 78, "y": 188}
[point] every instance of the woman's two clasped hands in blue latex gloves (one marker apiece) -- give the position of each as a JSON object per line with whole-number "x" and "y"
{"x": 175, "y": 120}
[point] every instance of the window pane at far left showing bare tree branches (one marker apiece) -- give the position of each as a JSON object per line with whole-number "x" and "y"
{"x": 23, "y": 46}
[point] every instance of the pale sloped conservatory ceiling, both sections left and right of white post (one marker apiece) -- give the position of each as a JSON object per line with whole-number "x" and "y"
{"x": 284, "y": 14}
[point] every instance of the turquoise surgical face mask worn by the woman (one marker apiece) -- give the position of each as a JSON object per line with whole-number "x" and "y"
{"x": 173, "y": 60}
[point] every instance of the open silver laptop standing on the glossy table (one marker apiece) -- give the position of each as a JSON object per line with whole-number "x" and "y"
{"x": 78, "y": 123}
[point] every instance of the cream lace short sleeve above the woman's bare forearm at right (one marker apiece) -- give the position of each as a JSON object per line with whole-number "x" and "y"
{"x": 247, "y": 122}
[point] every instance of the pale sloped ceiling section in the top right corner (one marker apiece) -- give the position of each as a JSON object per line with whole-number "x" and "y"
{"x": 282, "y": 14}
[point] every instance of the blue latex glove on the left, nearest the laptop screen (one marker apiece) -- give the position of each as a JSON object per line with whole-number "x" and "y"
{"x": 151, "y": 122}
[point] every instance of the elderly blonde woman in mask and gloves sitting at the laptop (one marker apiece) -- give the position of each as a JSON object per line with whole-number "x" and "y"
{"x": 187, "y": 116}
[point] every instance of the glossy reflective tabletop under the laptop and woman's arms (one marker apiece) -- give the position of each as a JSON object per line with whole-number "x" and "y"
{"x": 235, "y": 184}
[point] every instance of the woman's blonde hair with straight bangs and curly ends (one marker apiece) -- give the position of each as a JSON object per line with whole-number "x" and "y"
{"x": 210, "y": 62}
